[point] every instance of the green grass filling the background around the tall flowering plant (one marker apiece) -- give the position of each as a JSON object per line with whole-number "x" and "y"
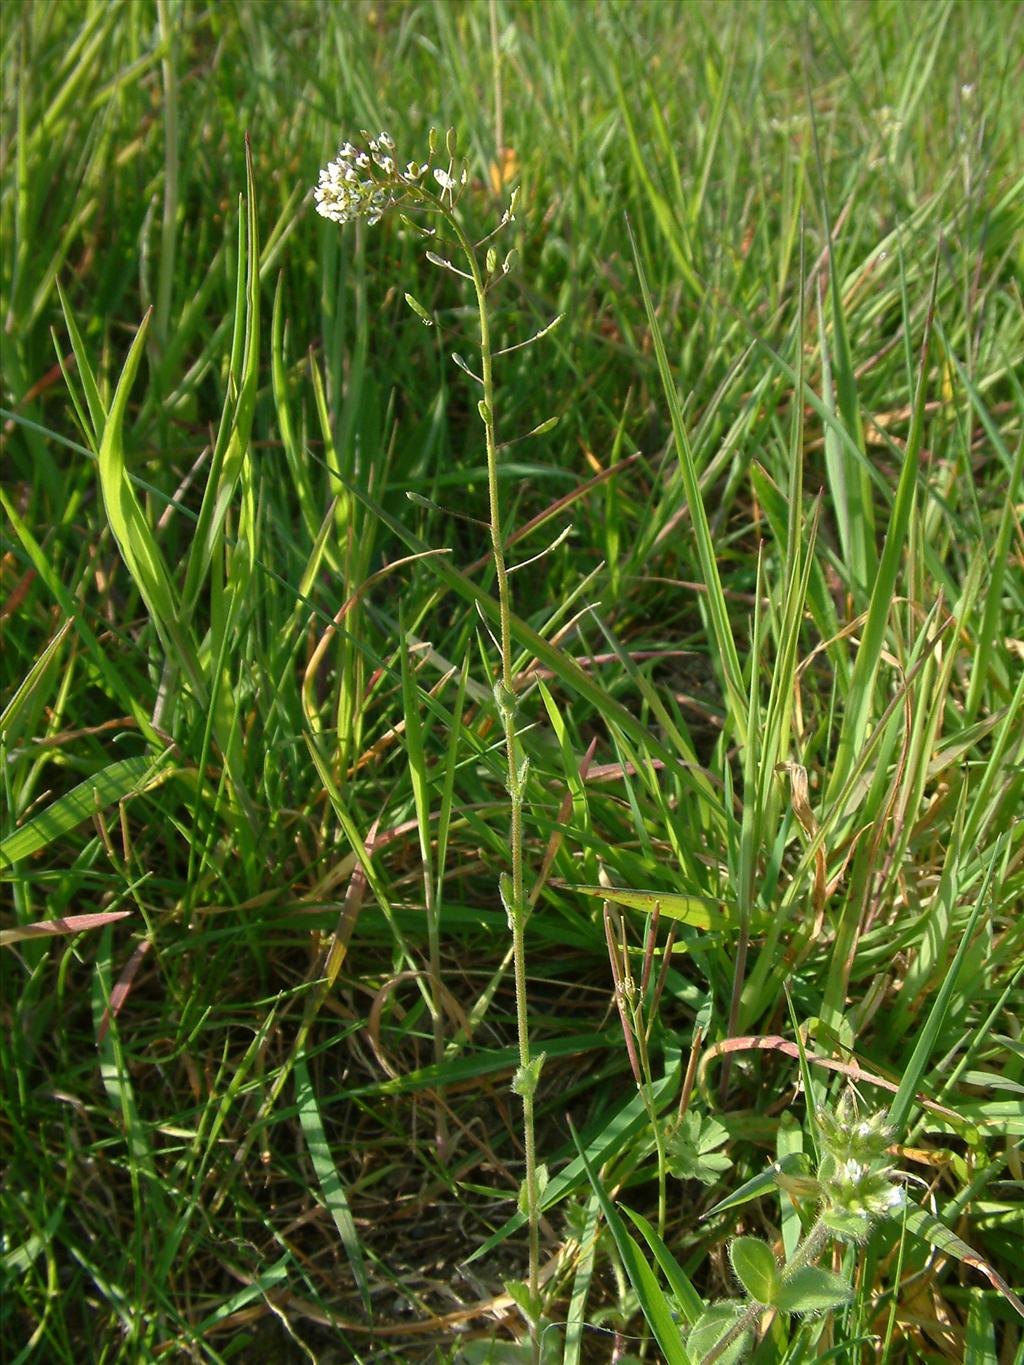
{"x": 207, "y": 1155}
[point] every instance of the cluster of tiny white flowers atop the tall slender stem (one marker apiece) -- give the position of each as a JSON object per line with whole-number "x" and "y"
{"x": 365, "y": 181}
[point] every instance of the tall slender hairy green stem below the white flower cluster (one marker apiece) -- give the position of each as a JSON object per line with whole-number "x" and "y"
{"x": 514, "y": 893}
